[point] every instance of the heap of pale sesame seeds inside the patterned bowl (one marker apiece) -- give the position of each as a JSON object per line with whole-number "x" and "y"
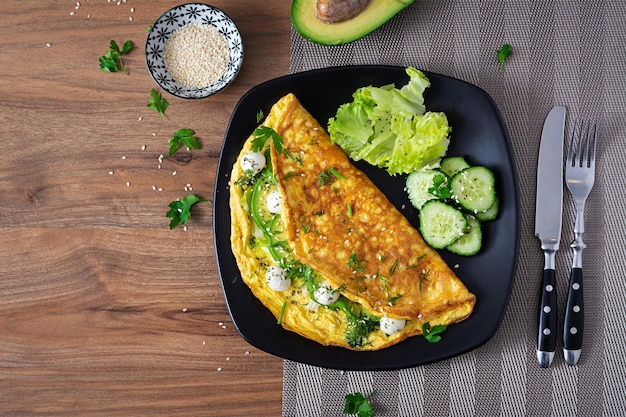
{"x": 196, "y": 55}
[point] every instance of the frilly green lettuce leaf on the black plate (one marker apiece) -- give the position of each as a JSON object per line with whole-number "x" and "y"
{"x": 390, "y": 127}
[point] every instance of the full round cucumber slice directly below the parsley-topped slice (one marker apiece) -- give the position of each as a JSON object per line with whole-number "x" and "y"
{"x": 441, "y": 224}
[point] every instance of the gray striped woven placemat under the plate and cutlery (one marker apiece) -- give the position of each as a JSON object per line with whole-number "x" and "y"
{"x": 564, "y": 52}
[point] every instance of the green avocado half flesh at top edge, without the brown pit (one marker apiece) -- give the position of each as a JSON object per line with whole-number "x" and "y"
{"x": 374, "y": 15}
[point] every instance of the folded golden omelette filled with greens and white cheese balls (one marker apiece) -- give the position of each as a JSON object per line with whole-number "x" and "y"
{"x": 324, "y": 249}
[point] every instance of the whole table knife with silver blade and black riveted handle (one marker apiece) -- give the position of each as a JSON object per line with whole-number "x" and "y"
{"x": 548, "y": 211}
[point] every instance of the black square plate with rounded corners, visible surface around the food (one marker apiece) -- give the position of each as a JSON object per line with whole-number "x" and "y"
{"x": 477, "y": 133}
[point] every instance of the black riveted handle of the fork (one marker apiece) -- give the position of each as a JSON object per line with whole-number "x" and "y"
{"x": 574, "y": 318}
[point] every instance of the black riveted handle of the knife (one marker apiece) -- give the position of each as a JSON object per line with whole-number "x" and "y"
{"x": 546, "y": 335}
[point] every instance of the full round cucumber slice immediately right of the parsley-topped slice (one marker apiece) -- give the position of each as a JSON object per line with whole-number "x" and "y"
{"x": 474, "y": 188}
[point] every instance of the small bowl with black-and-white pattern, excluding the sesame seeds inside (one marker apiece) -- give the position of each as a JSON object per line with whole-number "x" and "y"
{"x": 177, "y": 17}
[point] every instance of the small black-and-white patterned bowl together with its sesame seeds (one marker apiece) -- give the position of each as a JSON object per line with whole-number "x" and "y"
{"x": 194, "y": 51}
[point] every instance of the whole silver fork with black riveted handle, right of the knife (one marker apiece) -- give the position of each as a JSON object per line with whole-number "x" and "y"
{"x": 579, "y": 177}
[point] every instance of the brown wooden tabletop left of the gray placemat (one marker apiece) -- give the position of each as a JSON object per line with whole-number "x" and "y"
{"x": 103, "y": 310}
